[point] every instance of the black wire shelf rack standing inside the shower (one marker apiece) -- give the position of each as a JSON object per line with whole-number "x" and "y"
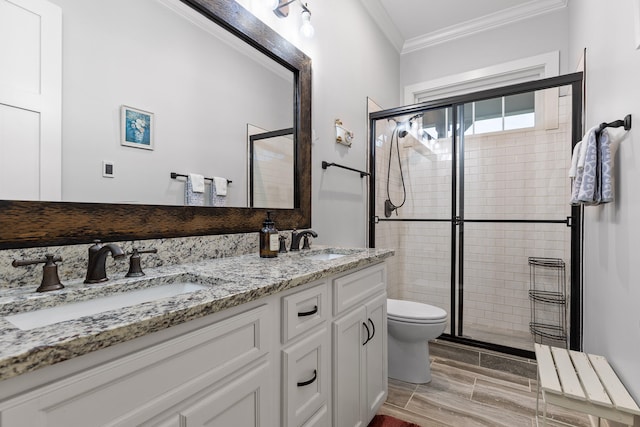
{"x": 548, "y": 299}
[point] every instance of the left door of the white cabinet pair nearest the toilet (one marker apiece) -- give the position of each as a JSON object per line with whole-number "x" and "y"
{"x": 349, "y": 370}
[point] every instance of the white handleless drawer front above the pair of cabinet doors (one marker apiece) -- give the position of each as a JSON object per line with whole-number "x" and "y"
{"x": 353, "y": 288}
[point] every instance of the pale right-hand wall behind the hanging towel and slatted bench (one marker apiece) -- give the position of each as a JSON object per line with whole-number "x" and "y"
{"x": 612, "y": 232}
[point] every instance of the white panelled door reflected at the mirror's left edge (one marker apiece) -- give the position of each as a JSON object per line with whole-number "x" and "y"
{"x": 30, "y": 100}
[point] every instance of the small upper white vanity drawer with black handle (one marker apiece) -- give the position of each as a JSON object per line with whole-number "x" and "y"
{"x": 304, "y": 310}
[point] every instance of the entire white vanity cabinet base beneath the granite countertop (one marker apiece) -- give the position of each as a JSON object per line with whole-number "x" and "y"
{"x": 311, "y": 356}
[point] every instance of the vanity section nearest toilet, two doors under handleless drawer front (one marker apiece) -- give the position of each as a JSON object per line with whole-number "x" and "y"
{"x": 359, "y": 346}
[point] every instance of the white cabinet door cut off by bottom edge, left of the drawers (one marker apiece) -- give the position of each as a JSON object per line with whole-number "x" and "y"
{"x": 242, "y": 401}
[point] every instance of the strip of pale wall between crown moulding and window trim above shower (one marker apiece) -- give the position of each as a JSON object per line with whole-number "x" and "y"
{"x": 535, "y": 36}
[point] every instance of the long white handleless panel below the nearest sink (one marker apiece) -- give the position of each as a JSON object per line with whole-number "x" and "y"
{"x": 140, "y": 386}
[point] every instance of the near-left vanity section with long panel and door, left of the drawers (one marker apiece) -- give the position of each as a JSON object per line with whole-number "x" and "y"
{"x": 212, "y": 374}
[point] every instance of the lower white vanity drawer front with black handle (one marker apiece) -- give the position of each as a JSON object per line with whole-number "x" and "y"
{"x": 305, "y": 381}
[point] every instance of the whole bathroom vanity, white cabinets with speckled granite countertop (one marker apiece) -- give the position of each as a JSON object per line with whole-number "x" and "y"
{"x": 292, "y": 341}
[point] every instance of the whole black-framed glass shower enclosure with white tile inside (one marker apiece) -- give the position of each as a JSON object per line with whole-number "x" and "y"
{"x": 467, "y": 190}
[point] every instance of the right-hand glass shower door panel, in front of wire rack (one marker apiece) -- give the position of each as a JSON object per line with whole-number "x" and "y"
{"x": 513, "y": 206}
